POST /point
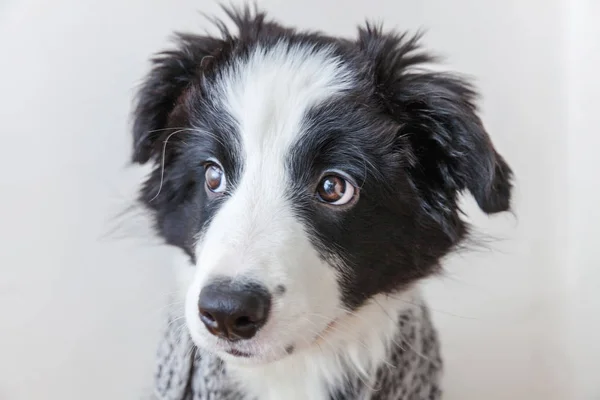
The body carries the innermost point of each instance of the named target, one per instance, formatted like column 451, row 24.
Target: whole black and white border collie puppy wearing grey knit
column 312, row 183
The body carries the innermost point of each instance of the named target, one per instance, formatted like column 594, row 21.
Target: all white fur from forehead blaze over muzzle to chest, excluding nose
column 255, row 235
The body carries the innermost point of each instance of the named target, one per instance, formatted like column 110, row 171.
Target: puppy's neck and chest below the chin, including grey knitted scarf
column 385, row 347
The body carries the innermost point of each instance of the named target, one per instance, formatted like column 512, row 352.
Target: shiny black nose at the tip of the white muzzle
column 232, row 310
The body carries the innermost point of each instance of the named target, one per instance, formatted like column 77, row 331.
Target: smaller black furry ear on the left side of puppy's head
column 171, row 74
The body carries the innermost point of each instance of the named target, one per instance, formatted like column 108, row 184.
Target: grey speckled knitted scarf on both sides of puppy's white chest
column 411, row 372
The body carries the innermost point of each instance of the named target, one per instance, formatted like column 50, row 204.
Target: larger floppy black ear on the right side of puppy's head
column 451, row 150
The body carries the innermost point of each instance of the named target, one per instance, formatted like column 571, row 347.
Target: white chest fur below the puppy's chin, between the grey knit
column 358, row 343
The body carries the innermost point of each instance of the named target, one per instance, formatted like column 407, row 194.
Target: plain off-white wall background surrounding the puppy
column 80, row 309
